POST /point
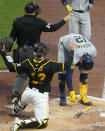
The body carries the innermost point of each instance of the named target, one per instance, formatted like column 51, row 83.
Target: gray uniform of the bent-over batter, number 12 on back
column 82, row 46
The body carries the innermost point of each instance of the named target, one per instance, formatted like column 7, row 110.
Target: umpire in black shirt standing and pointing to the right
column 27, row 30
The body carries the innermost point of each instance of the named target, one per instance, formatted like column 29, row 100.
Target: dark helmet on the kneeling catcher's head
column 40, row 49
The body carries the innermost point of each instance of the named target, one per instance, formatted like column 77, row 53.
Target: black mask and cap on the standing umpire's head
column 31, row 7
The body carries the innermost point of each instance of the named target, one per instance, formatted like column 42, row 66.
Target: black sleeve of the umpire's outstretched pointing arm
column 48, row 27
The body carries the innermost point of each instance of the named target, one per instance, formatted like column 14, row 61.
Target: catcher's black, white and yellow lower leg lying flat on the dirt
column 31, row 123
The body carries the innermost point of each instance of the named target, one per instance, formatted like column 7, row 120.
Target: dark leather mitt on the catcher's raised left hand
column 6, row 42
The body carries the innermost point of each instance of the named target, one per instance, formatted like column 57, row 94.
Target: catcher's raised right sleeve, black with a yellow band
column 57, row 67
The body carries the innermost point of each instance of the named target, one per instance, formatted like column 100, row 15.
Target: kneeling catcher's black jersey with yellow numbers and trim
column 41, row 72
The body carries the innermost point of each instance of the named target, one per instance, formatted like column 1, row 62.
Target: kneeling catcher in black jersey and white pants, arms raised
column 40, row 71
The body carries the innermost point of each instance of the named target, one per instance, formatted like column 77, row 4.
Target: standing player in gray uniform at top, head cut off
column 81, row 17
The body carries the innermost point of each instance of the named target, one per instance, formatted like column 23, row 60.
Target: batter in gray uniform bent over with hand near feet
column 84, row 55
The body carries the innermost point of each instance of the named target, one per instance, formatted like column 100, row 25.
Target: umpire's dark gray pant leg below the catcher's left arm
column 19, row 82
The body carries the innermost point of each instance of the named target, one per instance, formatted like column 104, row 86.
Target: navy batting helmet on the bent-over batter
column 87, row 62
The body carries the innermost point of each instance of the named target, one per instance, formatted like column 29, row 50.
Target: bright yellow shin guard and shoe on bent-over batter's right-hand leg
column 83, row 95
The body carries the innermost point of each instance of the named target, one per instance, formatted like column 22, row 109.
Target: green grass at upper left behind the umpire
column 9, row 11
